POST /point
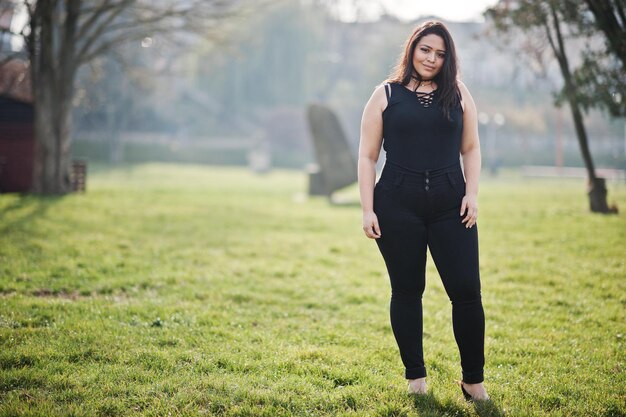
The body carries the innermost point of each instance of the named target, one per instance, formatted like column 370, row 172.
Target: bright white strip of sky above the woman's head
column 453, row 10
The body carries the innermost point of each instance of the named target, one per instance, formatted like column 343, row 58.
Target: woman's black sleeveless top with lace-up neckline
column 417, row 136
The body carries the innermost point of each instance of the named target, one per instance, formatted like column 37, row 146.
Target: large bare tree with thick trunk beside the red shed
column 62, row 35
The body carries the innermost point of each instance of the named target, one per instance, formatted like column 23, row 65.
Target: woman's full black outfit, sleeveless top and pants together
column 417, row 201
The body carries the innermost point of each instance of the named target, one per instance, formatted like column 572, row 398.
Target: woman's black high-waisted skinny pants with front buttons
column 417, row 210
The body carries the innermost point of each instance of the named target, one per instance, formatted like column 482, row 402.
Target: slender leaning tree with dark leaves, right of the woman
column 599, row 79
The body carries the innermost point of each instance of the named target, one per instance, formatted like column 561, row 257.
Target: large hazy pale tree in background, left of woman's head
column 295, row 55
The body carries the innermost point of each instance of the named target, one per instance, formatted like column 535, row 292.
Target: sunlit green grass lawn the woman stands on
column 181, row 290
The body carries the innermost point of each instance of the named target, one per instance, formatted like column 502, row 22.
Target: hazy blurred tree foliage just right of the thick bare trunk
column 117, row 92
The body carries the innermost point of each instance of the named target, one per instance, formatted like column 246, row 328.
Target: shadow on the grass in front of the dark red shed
column 24, row 209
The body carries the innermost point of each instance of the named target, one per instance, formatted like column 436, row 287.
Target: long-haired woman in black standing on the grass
column 423, row 199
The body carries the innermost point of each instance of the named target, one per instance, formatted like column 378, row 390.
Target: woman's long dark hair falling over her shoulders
column 446, row 79
